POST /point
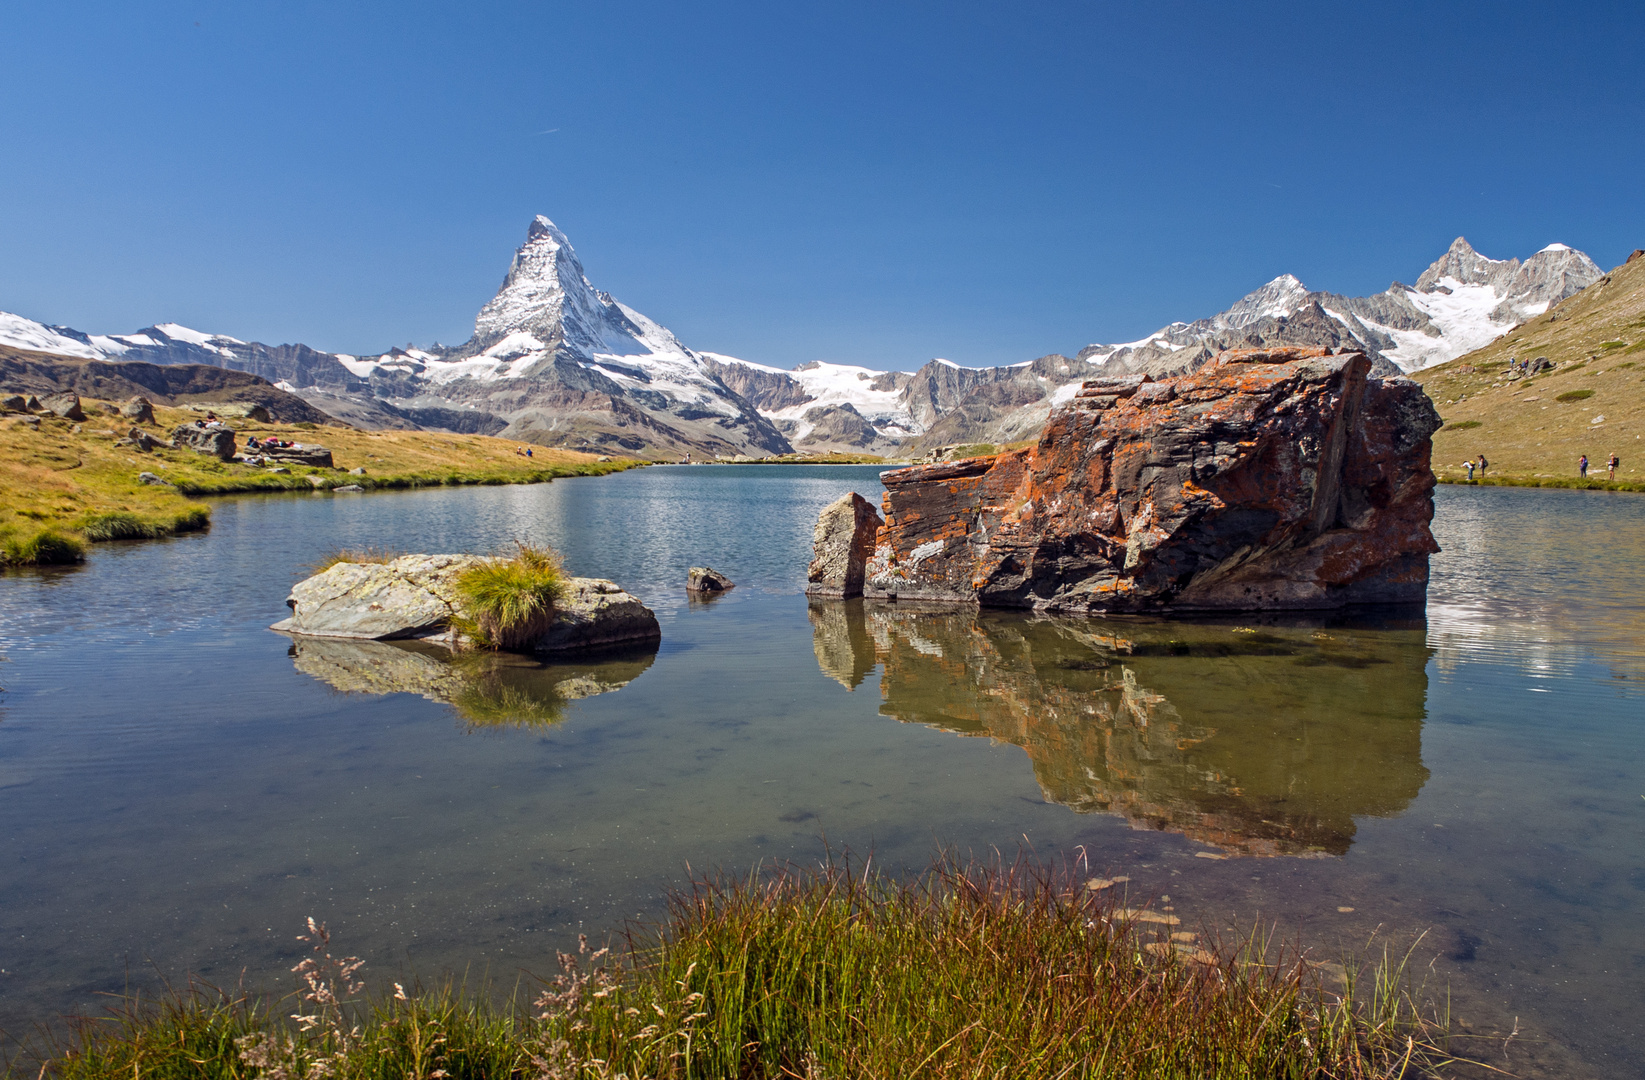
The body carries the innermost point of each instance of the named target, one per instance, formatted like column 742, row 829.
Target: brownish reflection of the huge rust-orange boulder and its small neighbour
column 1259, row 741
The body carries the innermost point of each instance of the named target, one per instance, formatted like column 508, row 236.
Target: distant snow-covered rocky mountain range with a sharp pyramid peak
column 557, row 362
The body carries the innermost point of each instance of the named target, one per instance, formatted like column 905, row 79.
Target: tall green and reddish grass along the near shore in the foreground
column 963, row 972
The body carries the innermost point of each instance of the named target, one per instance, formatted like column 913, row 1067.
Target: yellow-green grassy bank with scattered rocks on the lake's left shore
column 65, row 486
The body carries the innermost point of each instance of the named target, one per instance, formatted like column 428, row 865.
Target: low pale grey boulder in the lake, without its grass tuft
column 417, row 598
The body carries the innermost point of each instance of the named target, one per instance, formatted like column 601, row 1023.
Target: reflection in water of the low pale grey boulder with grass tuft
column 486, row 690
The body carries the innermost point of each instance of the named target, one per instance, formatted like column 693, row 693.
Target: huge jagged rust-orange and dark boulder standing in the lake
column 1267, row 481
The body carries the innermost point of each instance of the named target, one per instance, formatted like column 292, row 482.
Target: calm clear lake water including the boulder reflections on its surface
column 180, row 787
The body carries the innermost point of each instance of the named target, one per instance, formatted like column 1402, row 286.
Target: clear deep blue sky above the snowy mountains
column 864, row 183
